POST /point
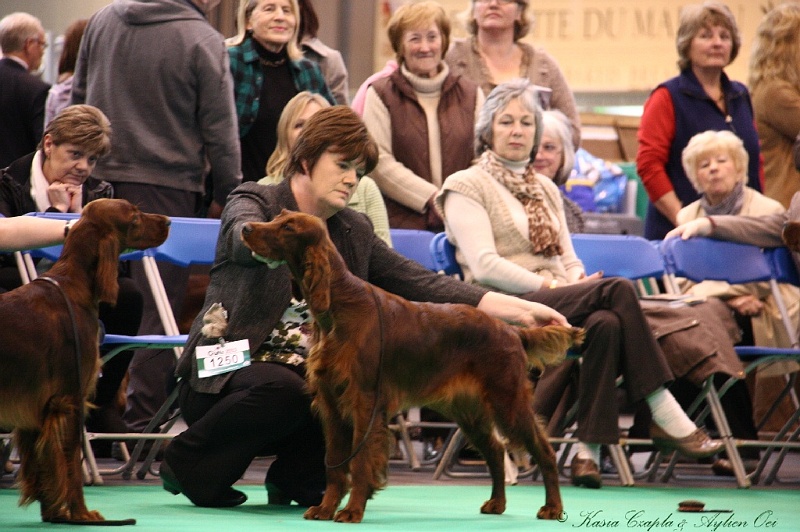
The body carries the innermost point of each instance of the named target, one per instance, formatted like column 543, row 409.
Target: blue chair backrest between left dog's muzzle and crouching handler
column 190, row 241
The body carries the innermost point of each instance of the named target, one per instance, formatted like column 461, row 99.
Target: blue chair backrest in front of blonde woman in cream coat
column 700, row 259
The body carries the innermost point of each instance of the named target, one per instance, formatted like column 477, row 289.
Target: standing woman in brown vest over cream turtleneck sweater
column 422, row 116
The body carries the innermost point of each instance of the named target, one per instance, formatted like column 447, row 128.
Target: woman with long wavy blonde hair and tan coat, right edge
column 775, row 87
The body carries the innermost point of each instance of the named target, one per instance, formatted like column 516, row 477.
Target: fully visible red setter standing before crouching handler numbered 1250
column 377, row 352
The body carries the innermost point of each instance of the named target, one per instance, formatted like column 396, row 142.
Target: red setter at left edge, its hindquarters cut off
column 44, row 386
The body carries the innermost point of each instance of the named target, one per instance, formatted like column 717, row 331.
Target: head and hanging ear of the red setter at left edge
column 114, row 225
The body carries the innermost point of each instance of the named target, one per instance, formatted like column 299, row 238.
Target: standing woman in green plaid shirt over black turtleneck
column 268, row 70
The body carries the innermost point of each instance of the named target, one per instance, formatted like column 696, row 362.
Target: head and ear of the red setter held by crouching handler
column 299, row 240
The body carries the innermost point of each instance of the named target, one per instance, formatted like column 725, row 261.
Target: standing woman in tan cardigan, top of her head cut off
column 495, row 54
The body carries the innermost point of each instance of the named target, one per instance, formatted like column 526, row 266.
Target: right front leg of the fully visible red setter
column 370, row 460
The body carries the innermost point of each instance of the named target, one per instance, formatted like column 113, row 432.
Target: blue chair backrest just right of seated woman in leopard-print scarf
column 629, row 256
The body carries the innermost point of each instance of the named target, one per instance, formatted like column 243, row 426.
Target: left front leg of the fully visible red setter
column 338, row 442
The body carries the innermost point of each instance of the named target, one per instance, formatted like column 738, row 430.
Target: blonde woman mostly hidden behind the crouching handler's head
column 366, row 198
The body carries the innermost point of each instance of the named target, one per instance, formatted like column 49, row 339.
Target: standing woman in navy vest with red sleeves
column 701, row 97
